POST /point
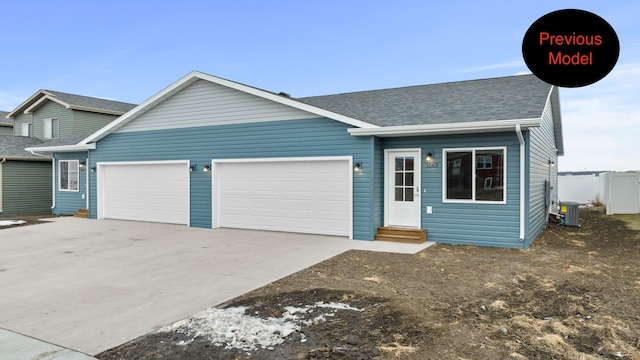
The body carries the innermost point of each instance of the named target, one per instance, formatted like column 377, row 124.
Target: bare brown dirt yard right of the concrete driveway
column 574, row 295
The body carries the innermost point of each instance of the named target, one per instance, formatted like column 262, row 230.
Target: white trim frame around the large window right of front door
column 473, row 187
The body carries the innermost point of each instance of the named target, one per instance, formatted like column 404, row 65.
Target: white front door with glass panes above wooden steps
column 402, row 182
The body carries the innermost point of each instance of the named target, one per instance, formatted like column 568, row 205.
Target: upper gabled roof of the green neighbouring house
column 71, row 101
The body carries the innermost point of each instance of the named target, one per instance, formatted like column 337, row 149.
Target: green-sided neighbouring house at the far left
column 47, row 117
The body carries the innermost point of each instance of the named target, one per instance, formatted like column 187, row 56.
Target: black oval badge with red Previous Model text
column 570, row 48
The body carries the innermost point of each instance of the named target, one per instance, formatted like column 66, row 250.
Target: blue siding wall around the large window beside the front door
column 468, row 223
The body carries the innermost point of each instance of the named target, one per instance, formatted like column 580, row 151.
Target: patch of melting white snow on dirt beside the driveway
column 232, row 328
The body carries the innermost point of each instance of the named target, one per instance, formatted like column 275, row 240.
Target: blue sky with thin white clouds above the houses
column 130, row 50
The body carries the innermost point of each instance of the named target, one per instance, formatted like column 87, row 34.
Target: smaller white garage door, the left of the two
column 156, row 192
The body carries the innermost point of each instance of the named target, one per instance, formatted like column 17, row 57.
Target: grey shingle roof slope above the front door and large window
column 505, row 98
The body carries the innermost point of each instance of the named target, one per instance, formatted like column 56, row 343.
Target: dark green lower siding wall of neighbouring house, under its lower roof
column 26, row 187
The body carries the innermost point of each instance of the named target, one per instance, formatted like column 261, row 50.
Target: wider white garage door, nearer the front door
column 311, row 196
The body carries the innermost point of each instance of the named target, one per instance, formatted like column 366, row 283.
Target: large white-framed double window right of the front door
column 474, row 175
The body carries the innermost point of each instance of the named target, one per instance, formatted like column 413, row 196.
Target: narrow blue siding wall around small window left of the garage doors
column 68, row 202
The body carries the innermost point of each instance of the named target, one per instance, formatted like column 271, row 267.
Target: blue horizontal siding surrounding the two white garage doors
column 291, row 138
